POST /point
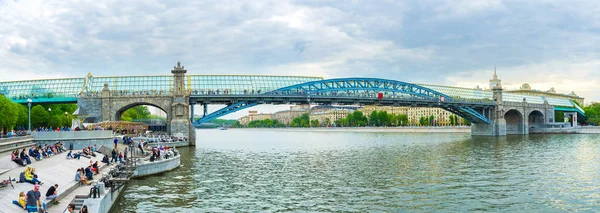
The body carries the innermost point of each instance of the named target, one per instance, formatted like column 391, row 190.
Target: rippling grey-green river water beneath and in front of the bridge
column 265, row 170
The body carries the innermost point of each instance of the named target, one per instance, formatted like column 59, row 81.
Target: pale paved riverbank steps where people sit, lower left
column 54, row 170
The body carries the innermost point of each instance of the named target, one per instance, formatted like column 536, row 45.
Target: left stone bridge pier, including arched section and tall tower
column 110, row 105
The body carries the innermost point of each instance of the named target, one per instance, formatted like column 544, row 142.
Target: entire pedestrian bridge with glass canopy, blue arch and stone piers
column 104, row 98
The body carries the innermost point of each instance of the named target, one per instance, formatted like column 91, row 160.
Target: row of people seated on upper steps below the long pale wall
column 23, row 157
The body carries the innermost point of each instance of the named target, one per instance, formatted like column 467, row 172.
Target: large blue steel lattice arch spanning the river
column 358, row 91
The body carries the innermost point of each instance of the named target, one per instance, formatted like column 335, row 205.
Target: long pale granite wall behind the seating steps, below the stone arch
column 78, row 139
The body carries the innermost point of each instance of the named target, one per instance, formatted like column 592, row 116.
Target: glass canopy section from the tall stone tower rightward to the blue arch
column 241, row 84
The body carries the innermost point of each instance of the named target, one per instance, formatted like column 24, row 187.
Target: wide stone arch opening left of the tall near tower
column 153, row 122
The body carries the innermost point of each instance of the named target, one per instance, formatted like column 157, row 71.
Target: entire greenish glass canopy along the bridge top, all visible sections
column 68, row 89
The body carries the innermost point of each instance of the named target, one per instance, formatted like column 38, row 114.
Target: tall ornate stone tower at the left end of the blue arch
column 180, row 123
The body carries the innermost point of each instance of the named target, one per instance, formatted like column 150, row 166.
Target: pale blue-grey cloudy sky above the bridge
column 450, row 42
